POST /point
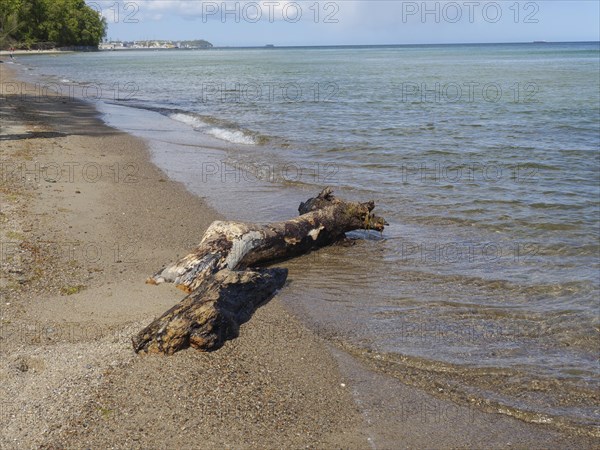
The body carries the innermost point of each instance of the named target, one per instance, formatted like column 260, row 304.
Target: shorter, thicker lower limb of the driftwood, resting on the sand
column 213, row 313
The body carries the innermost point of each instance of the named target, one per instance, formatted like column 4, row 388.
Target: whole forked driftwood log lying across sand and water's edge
column 221, row 278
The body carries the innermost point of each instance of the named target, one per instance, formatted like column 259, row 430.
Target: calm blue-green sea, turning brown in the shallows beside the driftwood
column 483, row 158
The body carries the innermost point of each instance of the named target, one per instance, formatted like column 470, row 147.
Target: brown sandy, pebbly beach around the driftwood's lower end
column 85, row 218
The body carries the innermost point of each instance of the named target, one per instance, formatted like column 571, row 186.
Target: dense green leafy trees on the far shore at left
column 49, row 23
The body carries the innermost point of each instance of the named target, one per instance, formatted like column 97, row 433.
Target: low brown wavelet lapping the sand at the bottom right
column 491, row 389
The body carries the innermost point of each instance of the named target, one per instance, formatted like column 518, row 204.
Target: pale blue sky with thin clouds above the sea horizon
column 350, row 22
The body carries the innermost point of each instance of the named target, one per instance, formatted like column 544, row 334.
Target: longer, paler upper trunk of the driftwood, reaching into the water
column 237, row 245
